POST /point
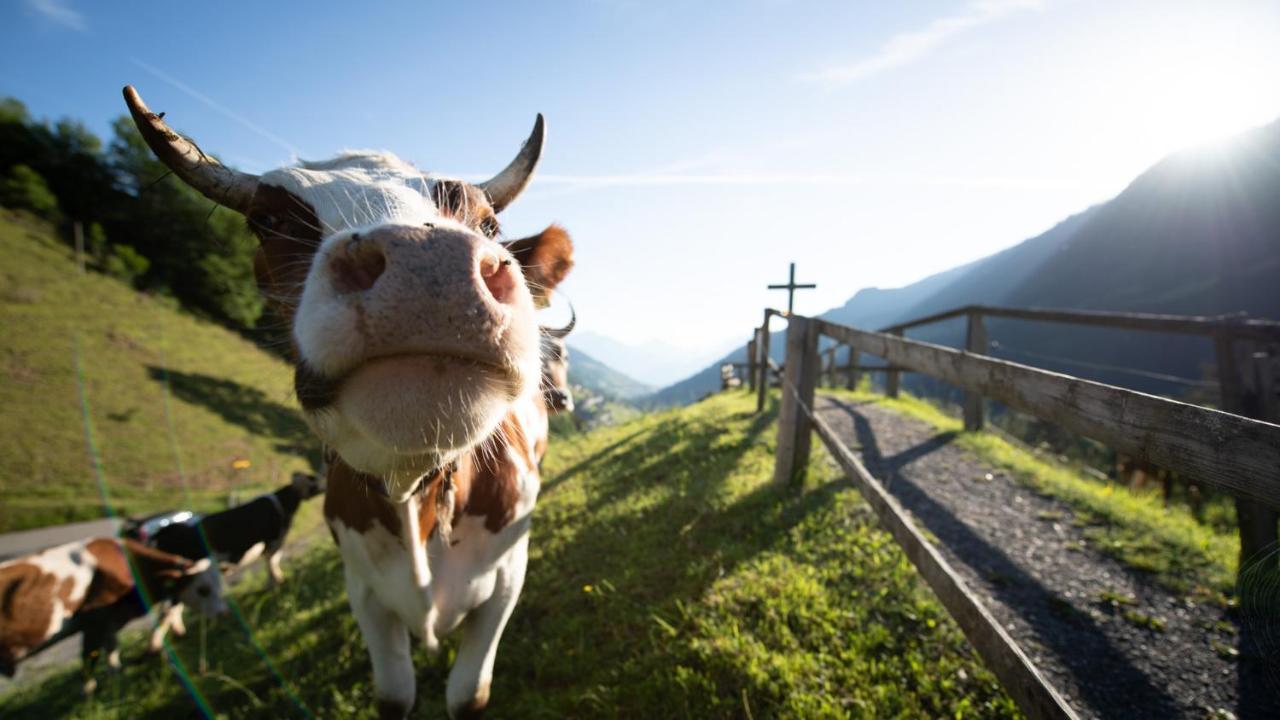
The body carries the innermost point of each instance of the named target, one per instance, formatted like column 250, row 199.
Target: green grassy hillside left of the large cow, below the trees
column 230, row 400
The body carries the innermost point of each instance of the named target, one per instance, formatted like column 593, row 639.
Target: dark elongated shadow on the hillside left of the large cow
column 246, row 407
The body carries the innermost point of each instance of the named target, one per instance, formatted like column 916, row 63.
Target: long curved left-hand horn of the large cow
column 228, row 188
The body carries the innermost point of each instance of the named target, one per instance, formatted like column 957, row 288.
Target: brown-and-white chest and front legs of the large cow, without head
column 408, row 577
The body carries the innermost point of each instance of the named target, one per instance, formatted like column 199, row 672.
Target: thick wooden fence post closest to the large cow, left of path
column 794, row 425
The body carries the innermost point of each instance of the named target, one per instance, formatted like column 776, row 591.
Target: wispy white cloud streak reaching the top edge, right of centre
column 908, row 48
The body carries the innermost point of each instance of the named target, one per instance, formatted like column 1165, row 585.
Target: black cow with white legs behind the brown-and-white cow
column 235, row 539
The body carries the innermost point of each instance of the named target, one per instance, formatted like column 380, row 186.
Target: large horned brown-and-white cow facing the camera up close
column 417, row 357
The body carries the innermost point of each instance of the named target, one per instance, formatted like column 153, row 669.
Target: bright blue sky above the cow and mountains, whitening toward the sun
column 694, row 148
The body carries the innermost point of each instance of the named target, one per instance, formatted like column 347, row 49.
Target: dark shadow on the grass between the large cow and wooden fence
column 609, row 580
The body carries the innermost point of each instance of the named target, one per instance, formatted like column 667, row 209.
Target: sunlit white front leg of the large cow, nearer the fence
column 468, row 692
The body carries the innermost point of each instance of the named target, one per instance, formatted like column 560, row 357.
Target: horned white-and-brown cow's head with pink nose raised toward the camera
column 413, row 325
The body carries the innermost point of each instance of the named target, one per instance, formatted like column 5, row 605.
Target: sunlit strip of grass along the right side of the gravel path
column 1135, row 528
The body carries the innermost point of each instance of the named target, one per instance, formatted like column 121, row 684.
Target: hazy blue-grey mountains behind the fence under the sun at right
column 1197, row 234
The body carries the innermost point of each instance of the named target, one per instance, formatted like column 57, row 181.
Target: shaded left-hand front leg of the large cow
column 387, row 640
